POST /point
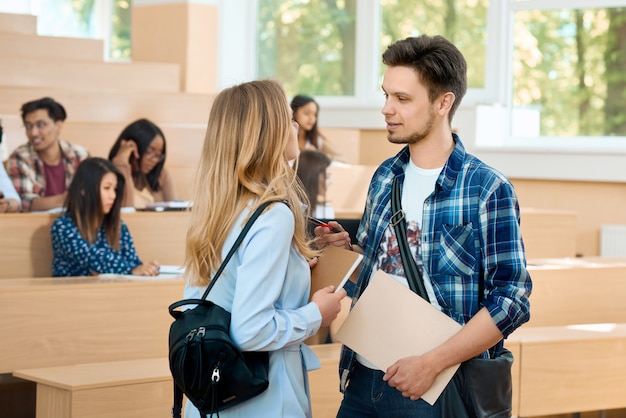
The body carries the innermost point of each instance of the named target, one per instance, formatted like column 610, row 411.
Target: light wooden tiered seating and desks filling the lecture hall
column 74, row 344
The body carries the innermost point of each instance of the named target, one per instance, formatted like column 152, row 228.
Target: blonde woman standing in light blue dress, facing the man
column 249, row 142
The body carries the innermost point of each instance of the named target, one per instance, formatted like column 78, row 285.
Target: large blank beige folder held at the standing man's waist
column 390, row 322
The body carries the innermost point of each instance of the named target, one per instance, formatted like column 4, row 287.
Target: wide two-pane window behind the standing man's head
column 313, row 47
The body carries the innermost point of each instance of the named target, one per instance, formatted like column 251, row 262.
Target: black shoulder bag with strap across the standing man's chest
column 481, row 388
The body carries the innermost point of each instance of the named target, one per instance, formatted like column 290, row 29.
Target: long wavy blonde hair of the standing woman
column 242, row 161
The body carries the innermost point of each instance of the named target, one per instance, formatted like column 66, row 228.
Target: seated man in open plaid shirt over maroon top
column 42, row 169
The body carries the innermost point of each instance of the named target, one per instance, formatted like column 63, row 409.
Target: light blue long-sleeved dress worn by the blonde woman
column 266, row 288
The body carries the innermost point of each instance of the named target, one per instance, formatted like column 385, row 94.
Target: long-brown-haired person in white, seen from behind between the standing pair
column 312, row 170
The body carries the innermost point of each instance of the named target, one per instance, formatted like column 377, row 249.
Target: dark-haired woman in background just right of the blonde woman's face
column 305, row 112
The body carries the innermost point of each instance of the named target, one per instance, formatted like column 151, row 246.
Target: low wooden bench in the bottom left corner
column 130, row 389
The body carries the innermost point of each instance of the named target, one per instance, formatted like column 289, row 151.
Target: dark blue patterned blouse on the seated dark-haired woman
column 73, row 256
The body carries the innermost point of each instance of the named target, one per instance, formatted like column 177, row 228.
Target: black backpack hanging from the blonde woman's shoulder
column 207, row 366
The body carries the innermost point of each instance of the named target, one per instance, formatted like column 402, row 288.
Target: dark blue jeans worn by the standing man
column 368, row 395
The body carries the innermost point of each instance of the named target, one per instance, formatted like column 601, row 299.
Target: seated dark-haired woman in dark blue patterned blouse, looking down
column 91, row 238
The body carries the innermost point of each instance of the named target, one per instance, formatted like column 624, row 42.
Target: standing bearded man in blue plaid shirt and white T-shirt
column 463, row 230
